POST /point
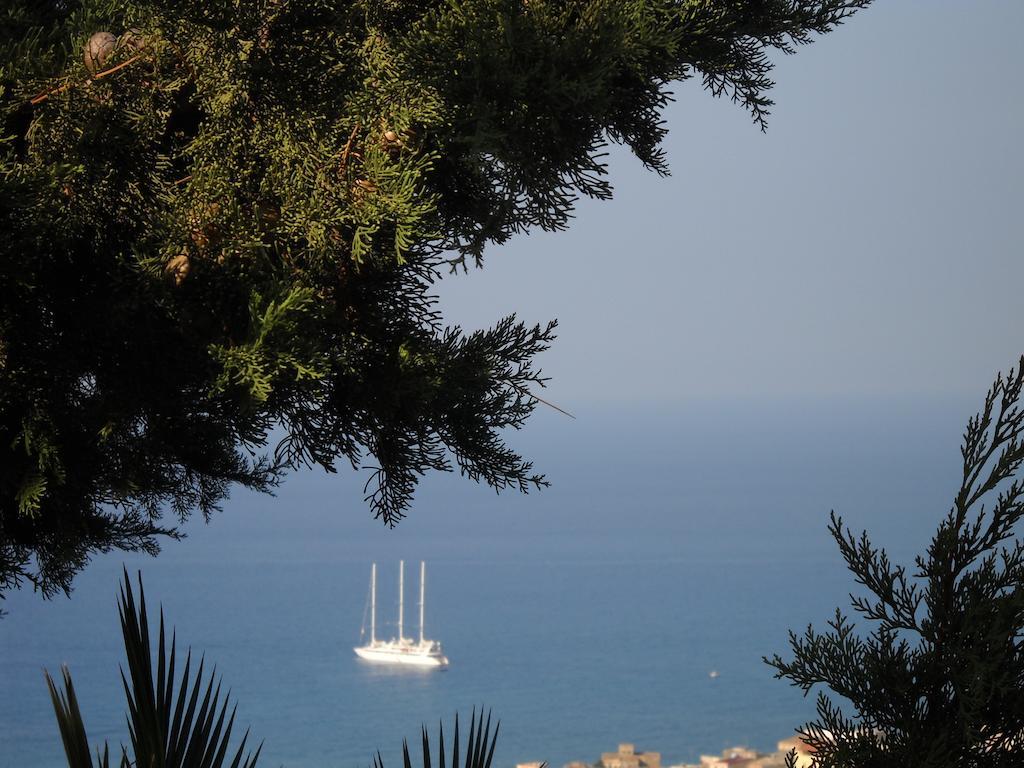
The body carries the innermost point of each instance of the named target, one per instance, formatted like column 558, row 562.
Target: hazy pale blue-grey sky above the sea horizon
column 869, row 244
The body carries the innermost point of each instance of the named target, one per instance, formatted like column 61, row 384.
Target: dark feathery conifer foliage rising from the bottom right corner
column 940, row 679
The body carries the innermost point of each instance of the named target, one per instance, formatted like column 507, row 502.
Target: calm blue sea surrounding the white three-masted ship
column 674, row 542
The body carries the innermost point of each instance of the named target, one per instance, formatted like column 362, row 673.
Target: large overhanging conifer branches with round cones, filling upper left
column 225, row 218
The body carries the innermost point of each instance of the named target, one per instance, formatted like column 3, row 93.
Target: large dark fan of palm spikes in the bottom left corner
column 168, row 728
